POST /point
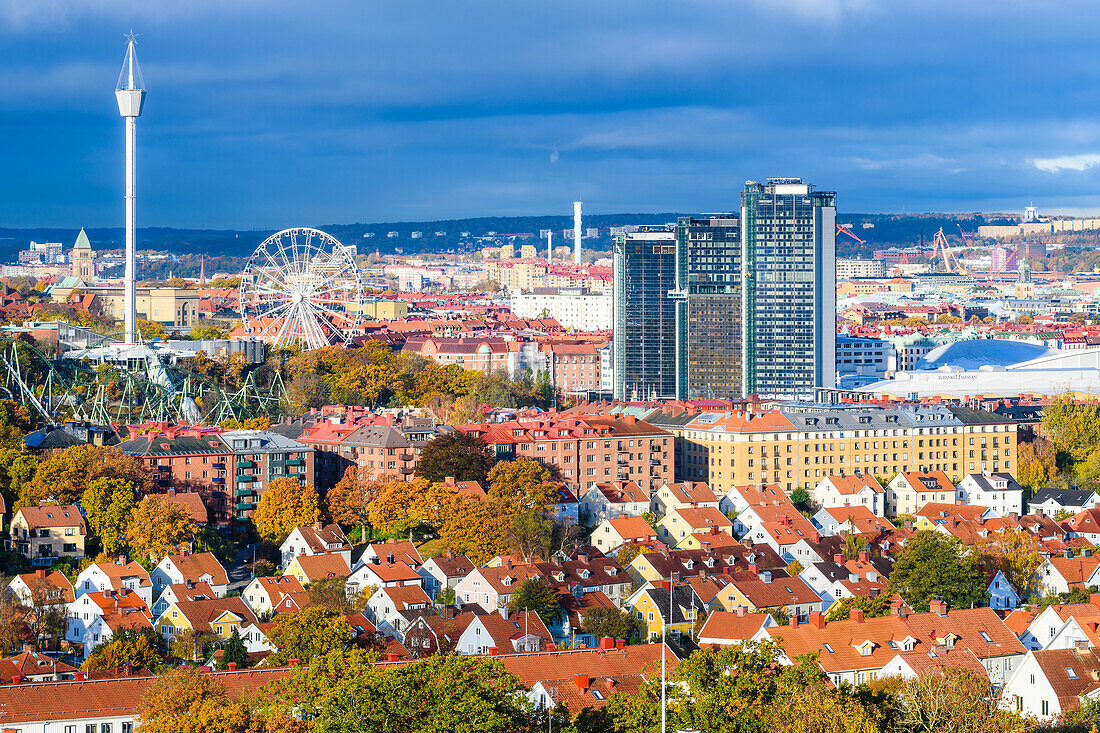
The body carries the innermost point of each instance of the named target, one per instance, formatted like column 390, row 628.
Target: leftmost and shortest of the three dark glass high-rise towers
column 645, row 346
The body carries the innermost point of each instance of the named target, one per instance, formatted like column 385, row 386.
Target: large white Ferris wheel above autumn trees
column 302, row 288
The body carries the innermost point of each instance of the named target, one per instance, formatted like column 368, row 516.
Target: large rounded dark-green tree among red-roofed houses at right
column 931, row 566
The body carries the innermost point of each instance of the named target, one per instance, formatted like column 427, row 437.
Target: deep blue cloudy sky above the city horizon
column 271, row 114
